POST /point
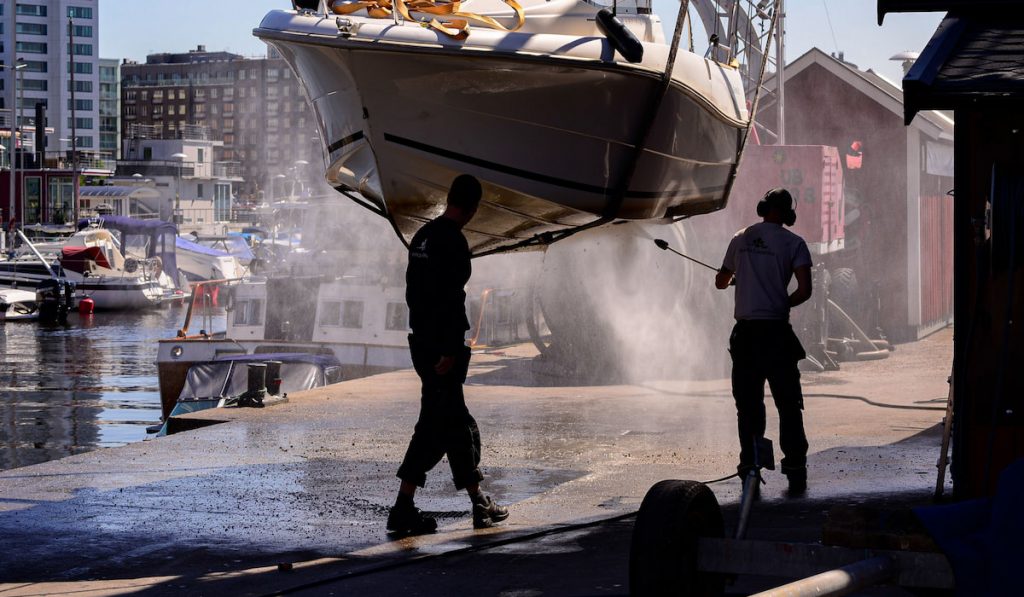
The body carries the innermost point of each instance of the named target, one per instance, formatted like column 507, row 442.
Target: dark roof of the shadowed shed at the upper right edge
column 972, row 57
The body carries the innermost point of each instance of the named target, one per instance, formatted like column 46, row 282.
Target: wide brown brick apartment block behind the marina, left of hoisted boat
column 254, row 106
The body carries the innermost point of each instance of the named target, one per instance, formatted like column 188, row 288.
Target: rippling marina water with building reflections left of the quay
column 91, row 385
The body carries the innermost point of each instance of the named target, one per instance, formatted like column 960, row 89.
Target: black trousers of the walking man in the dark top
column 445, row 428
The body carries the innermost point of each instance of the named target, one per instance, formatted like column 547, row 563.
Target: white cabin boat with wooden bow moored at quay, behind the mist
column 332, row 296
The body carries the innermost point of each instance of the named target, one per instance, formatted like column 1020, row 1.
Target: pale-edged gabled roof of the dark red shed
column 878, row 88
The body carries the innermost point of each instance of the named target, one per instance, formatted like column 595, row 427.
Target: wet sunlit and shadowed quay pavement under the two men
column 308, row 484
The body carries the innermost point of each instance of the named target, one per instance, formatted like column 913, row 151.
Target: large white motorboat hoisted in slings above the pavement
column 564, row 132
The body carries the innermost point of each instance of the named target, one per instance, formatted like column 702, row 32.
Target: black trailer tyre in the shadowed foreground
column 673, row 518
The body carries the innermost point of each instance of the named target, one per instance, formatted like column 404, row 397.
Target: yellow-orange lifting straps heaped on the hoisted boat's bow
column 455, row 25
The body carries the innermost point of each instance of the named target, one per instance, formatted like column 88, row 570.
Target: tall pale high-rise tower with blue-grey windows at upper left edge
column 59, row 42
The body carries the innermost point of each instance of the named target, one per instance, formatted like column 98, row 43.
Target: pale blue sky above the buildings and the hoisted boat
column 131, row 29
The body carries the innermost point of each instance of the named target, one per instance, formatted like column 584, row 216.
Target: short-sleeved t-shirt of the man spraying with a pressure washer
column 763, row 258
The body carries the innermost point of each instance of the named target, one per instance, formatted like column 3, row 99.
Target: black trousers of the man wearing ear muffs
column 769, row 351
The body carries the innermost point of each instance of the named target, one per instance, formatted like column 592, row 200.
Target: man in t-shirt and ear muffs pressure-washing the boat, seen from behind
column 761, row 262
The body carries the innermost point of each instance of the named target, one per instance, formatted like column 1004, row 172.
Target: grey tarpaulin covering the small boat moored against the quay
column 230, row 377
